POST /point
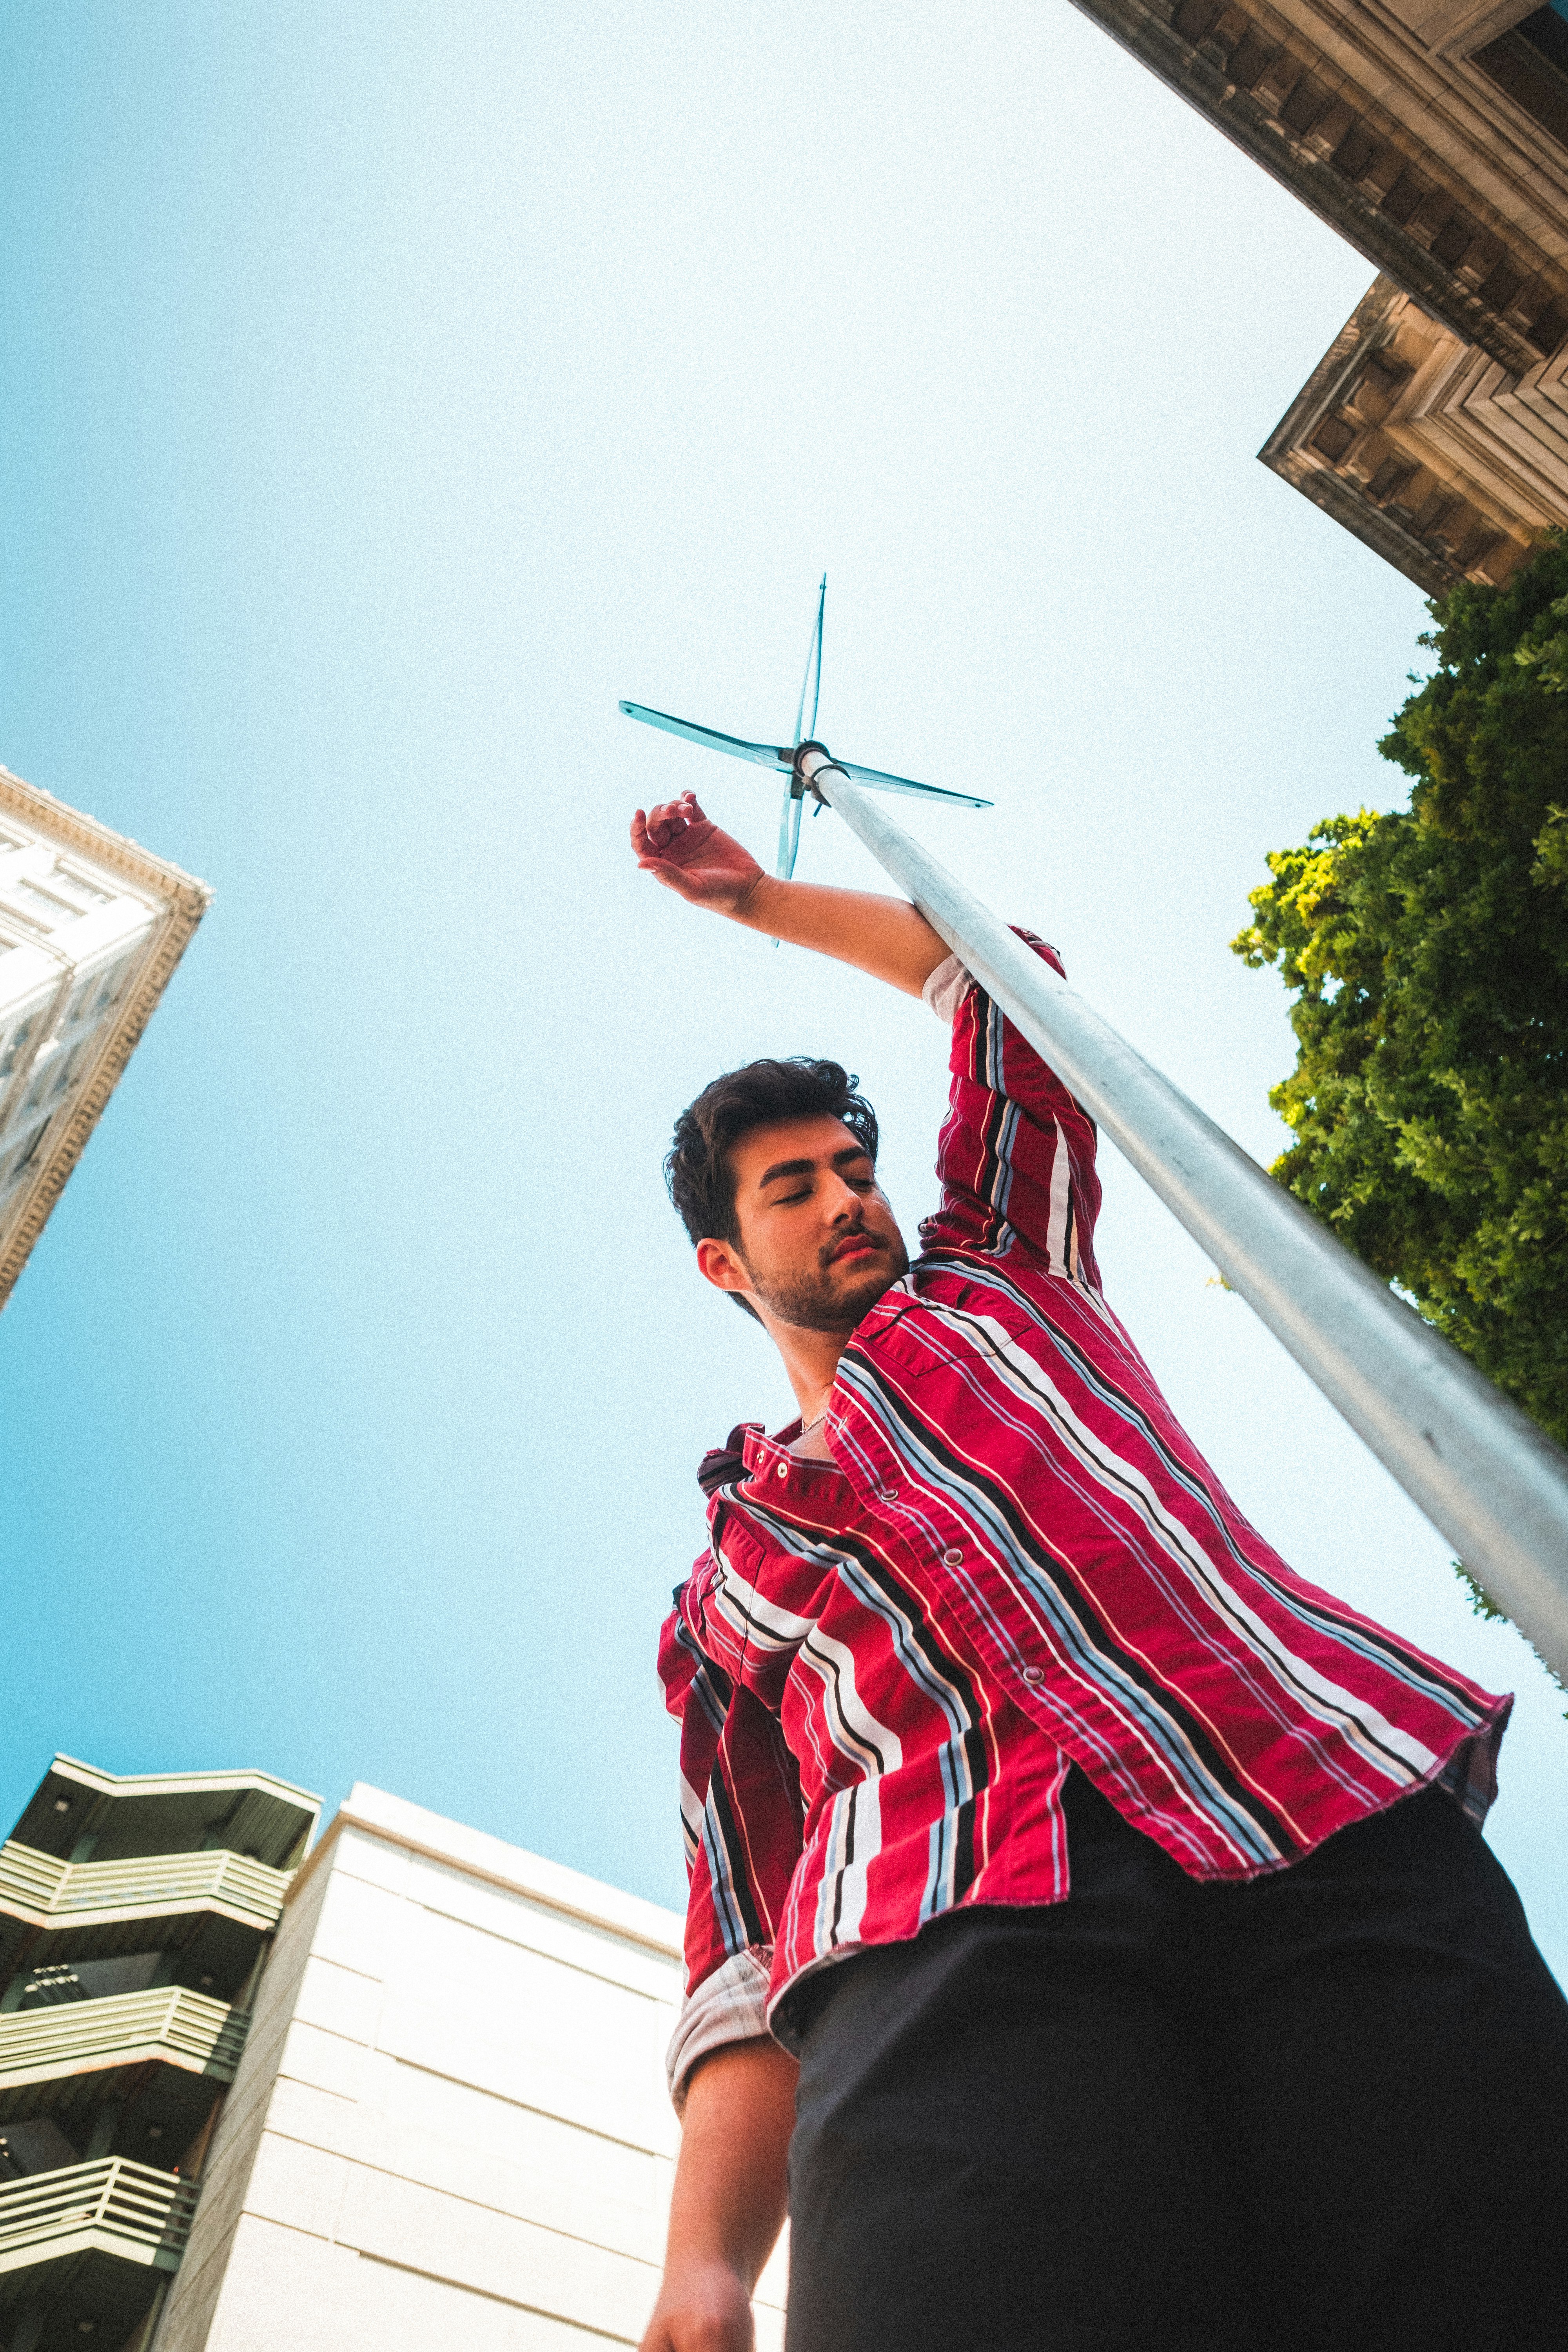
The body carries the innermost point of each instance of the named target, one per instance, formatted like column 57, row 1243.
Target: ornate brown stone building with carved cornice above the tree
column 1435, row 138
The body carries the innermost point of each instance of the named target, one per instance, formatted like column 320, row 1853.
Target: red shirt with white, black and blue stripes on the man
column 1017, row 1561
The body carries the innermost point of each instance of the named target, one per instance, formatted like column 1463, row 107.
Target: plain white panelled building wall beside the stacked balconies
column 450, row 2127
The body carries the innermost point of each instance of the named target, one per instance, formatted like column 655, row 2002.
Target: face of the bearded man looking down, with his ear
column 819, row 1243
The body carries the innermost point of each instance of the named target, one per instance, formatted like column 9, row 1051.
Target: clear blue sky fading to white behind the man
column 389, row 392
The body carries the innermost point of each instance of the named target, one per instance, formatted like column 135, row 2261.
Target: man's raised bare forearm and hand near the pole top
column 688, row 853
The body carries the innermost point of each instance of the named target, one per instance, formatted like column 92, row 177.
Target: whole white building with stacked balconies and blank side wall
column 403, row 2090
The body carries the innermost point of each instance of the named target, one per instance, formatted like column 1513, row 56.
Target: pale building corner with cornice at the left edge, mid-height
column 91, row 930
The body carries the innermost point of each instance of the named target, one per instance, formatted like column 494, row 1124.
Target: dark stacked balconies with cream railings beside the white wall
column 135, row 1920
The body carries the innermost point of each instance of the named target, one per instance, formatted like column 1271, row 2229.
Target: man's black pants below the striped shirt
column 1318, row 2113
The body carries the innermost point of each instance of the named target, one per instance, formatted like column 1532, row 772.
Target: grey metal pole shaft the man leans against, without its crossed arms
column 1473, row 1462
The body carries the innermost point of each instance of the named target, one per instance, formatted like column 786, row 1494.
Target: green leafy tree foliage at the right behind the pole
column 1428, row 951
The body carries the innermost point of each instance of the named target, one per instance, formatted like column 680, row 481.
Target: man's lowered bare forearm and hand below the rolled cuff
column 730, row 2198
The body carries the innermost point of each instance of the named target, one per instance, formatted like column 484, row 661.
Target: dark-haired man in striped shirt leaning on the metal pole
column 1092, row 1939
